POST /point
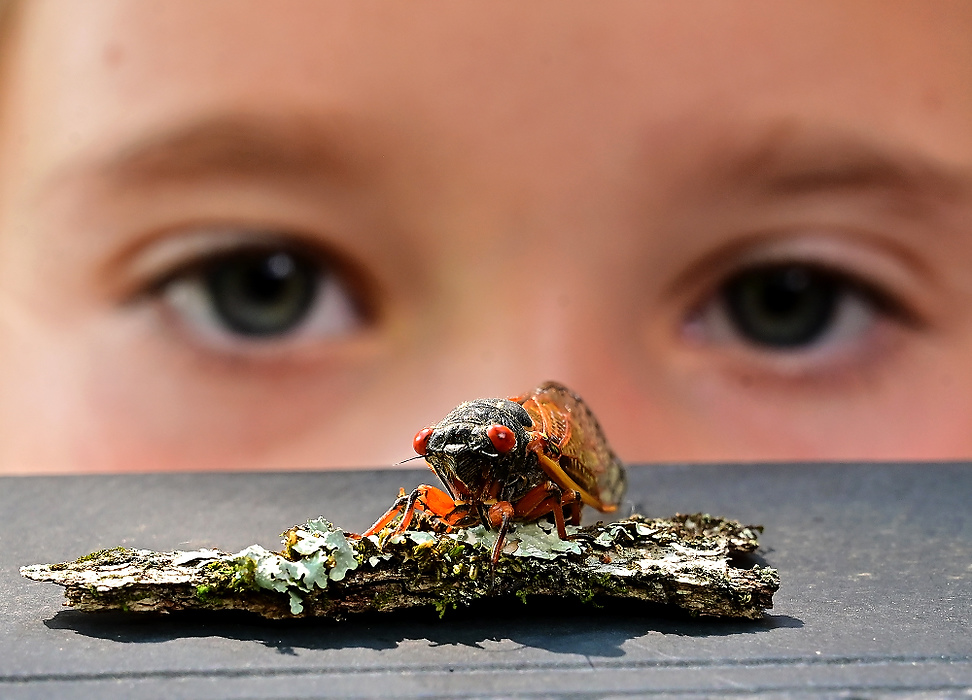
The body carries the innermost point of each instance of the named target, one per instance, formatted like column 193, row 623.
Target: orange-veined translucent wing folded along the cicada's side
column 584, row 453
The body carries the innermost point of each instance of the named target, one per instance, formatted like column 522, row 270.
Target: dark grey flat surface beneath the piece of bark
column 876, row 564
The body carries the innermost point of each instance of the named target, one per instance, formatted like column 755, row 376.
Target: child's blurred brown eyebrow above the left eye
column 238, row 146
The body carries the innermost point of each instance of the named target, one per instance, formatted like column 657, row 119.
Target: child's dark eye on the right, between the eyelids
column 791, row 307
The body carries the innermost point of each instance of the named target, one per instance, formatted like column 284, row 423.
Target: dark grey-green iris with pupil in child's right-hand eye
column 784, row 306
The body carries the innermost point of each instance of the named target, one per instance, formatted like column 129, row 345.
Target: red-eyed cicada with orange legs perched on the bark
column 511, row 460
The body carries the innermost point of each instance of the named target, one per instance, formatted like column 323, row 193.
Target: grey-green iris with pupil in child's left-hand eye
column 262, row 293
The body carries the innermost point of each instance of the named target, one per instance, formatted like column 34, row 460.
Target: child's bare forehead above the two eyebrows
column 529, row 76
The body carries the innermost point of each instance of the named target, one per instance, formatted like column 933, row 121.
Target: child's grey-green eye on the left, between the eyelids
column 263, row 294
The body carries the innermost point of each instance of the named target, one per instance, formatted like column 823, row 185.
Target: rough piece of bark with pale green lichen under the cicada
column 686, row 562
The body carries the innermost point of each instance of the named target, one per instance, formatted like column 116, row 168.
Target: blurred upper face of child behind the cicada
column 240, row 234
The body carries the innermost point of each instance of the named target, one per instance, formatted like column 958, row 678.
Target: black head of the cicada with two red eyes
column 476, row 448
